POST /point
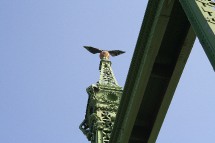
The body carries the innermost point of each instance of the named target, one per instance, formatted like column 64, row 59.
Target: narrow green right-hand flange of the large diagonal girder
column 178, row 69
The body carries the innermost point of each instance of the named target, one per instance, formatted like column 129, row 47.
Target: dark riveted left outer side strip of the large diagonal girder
column 146, row 27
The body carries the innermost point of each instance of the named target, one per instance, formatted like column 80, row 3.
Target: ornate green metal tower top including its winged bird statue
column 103, row 101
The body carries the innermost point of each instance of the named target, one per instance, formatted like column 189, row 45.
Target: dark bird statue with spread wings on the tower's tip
column 104, row 53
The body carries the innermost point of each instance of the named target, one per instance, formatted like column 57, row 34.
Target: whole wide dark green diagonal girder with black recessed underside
column 163, row 46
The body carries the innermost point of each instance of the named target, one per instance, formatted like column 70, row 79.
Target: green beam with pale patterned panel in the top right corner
column 201, row 14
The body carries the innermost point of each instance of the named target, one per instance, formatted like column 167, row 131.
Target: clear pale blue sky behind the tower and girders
column 45, row 70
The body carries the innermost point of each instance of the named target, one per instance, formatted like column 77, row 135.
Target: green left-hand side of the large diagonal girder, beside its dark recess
column 136, row 82
